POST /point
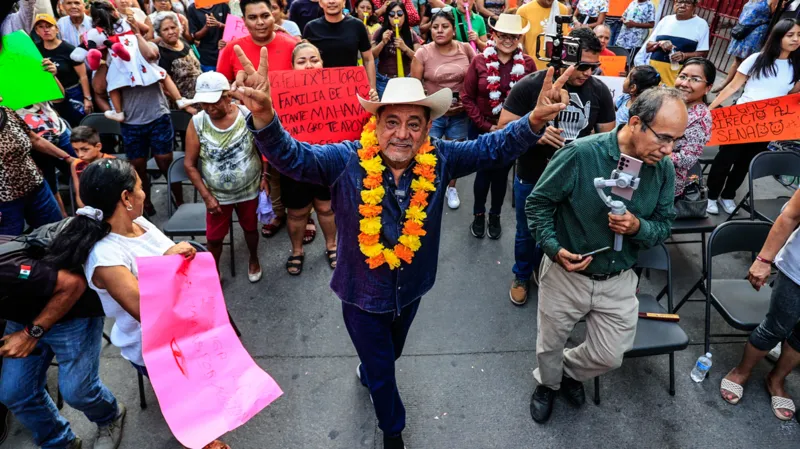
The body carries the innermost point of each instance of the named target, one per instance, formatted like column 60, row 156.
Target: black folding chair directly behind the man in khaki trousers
column 655, row 337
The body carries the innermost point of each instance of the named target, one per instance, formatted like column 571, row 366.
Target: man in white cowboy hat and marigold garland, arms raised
column 387, row 217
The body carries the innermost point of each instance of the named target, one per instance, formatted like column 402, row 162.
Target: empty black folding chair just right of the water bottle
column 740, row 305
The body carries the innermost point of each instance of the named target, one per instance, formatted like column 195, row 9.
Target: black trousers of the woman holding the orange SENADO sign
column 730, row 167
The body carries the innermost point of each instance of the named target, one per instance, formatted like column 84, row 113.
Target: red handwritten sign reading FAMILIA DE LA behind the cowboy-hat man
column 320, row 106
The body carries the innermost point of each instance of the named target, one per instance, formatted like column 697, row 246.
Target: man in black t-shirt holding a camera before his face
column 591, row 109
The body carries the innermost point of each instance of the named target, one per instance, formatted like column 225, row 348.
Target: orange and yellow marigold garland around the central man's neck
column 372, row 196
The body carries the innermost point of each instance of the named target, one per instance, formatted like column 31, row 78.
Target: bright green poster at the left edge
column 20, row 69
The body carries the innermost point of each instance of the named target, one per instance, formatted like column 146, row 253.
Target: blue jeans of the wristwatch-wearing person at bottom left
column 76, row 345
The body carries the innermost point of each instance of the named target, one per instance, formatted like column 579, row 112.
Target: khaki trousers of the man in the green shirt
column 611, row 311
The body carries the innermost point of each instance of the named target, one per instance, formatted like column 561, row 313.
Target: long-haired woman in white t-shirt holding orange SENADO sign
column 774, row 72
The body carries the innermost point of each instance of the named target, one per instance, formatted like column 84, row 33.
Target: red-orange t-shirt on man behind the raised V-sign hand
column 280, row 54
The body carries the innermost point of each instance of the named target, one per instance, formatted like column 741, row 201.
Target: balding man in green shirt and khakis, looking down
column 569, row 219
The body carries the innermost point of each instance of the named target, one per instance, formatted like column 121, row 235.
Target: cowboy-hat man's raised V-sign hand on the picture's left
column 252, row 87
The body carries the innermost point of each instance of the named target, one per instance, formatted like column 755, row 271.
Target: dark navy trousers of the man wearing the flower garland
column 379, row 339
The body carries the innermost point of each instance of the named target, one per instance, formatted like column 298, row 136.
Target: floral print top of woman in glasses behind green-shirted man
column 689, row 148
